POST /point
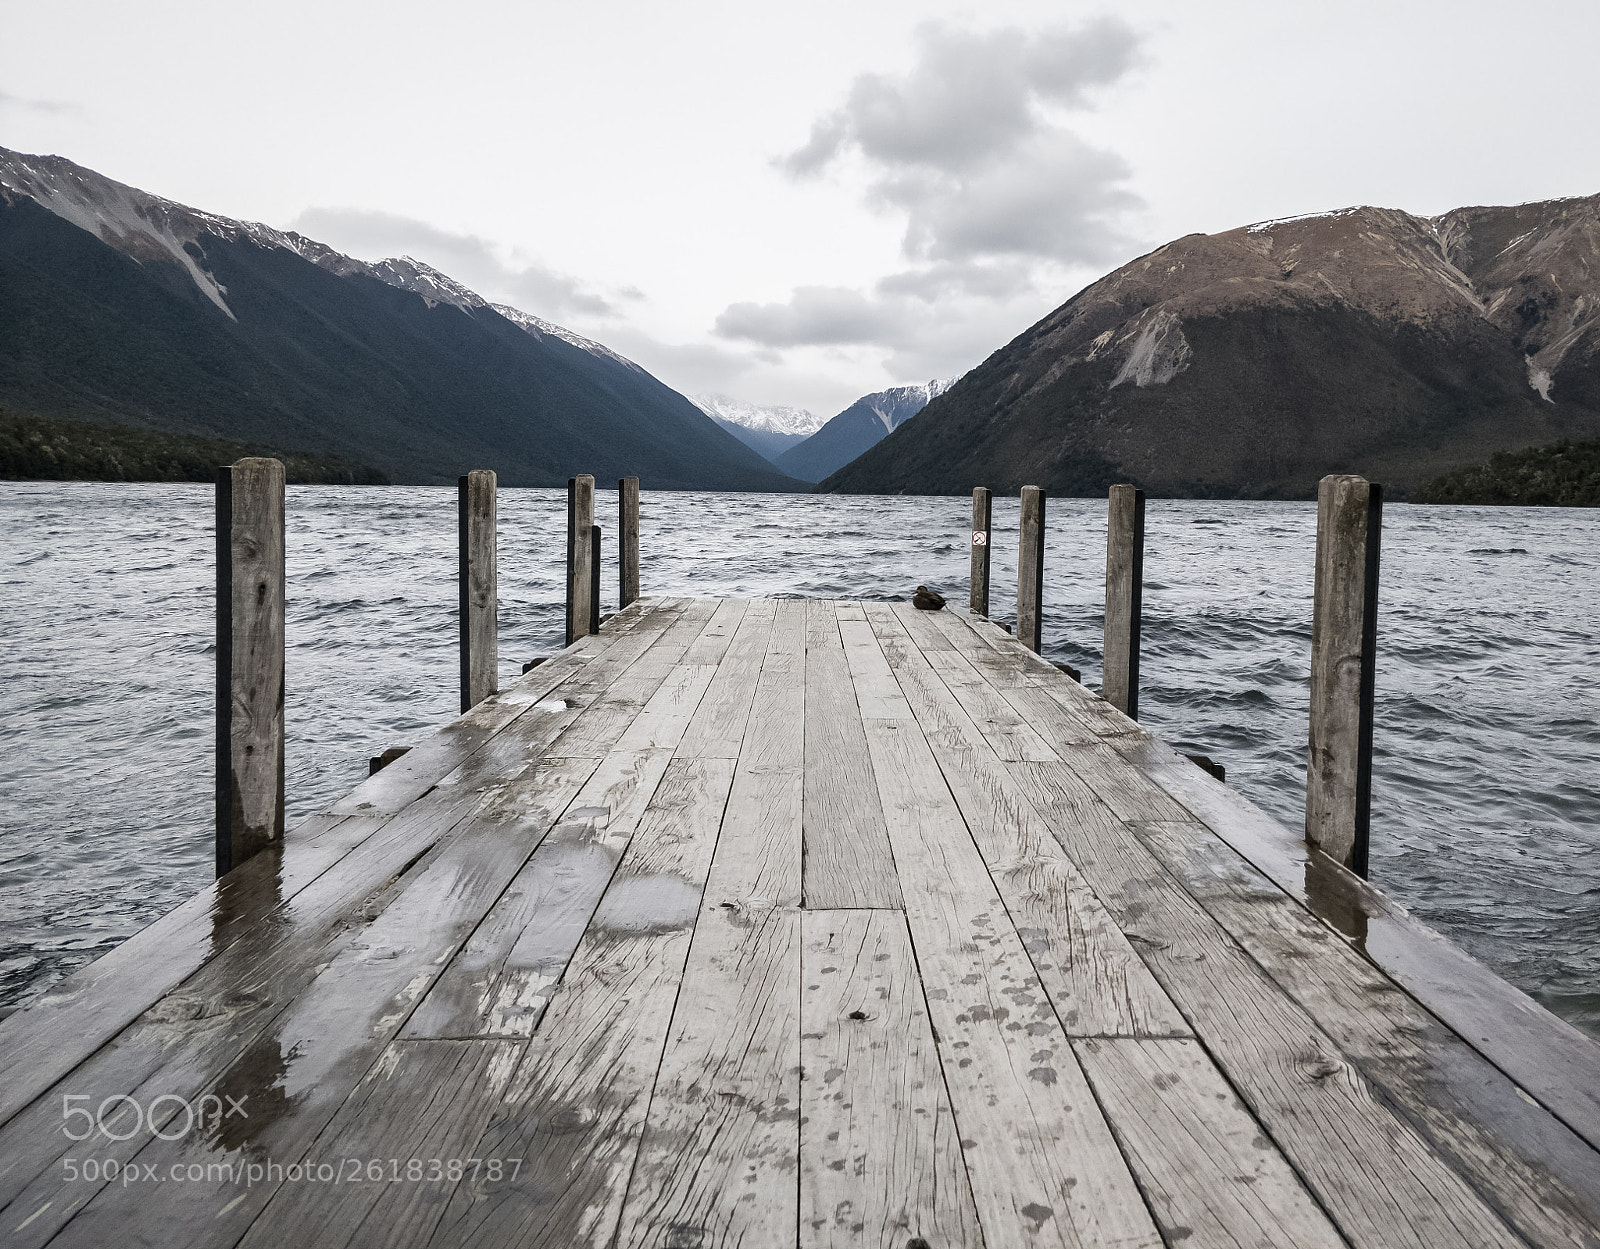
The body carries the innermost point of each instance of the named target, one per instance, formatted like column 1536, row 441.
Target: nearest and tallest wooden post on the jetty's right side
column 1343, row 660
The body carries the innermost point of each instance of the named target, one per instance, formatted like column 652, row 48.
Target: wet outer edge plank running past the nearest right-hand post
column 1546, row 1056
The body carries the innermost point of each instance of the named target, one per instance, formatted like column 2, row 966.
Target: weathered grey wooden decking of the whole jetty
column 796, row 924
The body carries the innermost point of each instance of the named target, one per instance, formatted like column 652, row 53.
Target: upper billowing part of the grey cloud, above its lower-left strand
column 967, row 145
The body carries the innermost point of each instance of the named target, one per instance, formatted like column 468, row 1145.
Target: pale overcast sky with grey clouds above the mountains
column 802, row 204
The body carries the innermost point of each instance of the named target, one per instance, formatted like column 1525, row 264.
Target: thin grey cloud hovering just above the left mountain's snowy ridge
column 468, row 258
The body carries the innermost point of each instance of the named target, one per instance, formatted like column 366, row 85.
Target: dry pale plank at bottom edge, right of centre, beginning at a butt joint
column 1210, row 1175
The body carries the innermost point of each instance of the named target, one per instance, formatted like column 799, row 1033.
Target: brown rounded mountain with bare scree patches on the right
column 1254, row 362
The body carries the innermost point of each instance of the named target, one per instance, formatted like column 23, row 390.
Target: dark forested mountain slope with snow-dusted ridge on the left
column 122, row 308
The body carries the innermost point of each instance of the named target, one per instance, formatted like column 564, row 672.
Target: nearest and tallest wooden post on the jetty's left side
column 249, row 660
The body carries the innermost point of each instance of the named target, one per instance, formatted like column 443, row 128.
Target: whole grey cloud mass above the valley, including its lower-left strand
column 999, row 196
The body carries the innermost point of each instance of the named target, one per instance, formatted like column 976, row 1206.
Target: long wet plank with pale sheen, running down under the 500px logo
column 300, row 1071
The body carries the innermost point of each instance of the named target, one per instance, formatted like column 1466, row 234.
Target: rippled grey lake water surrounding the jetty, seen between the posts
column 1487, row 789
